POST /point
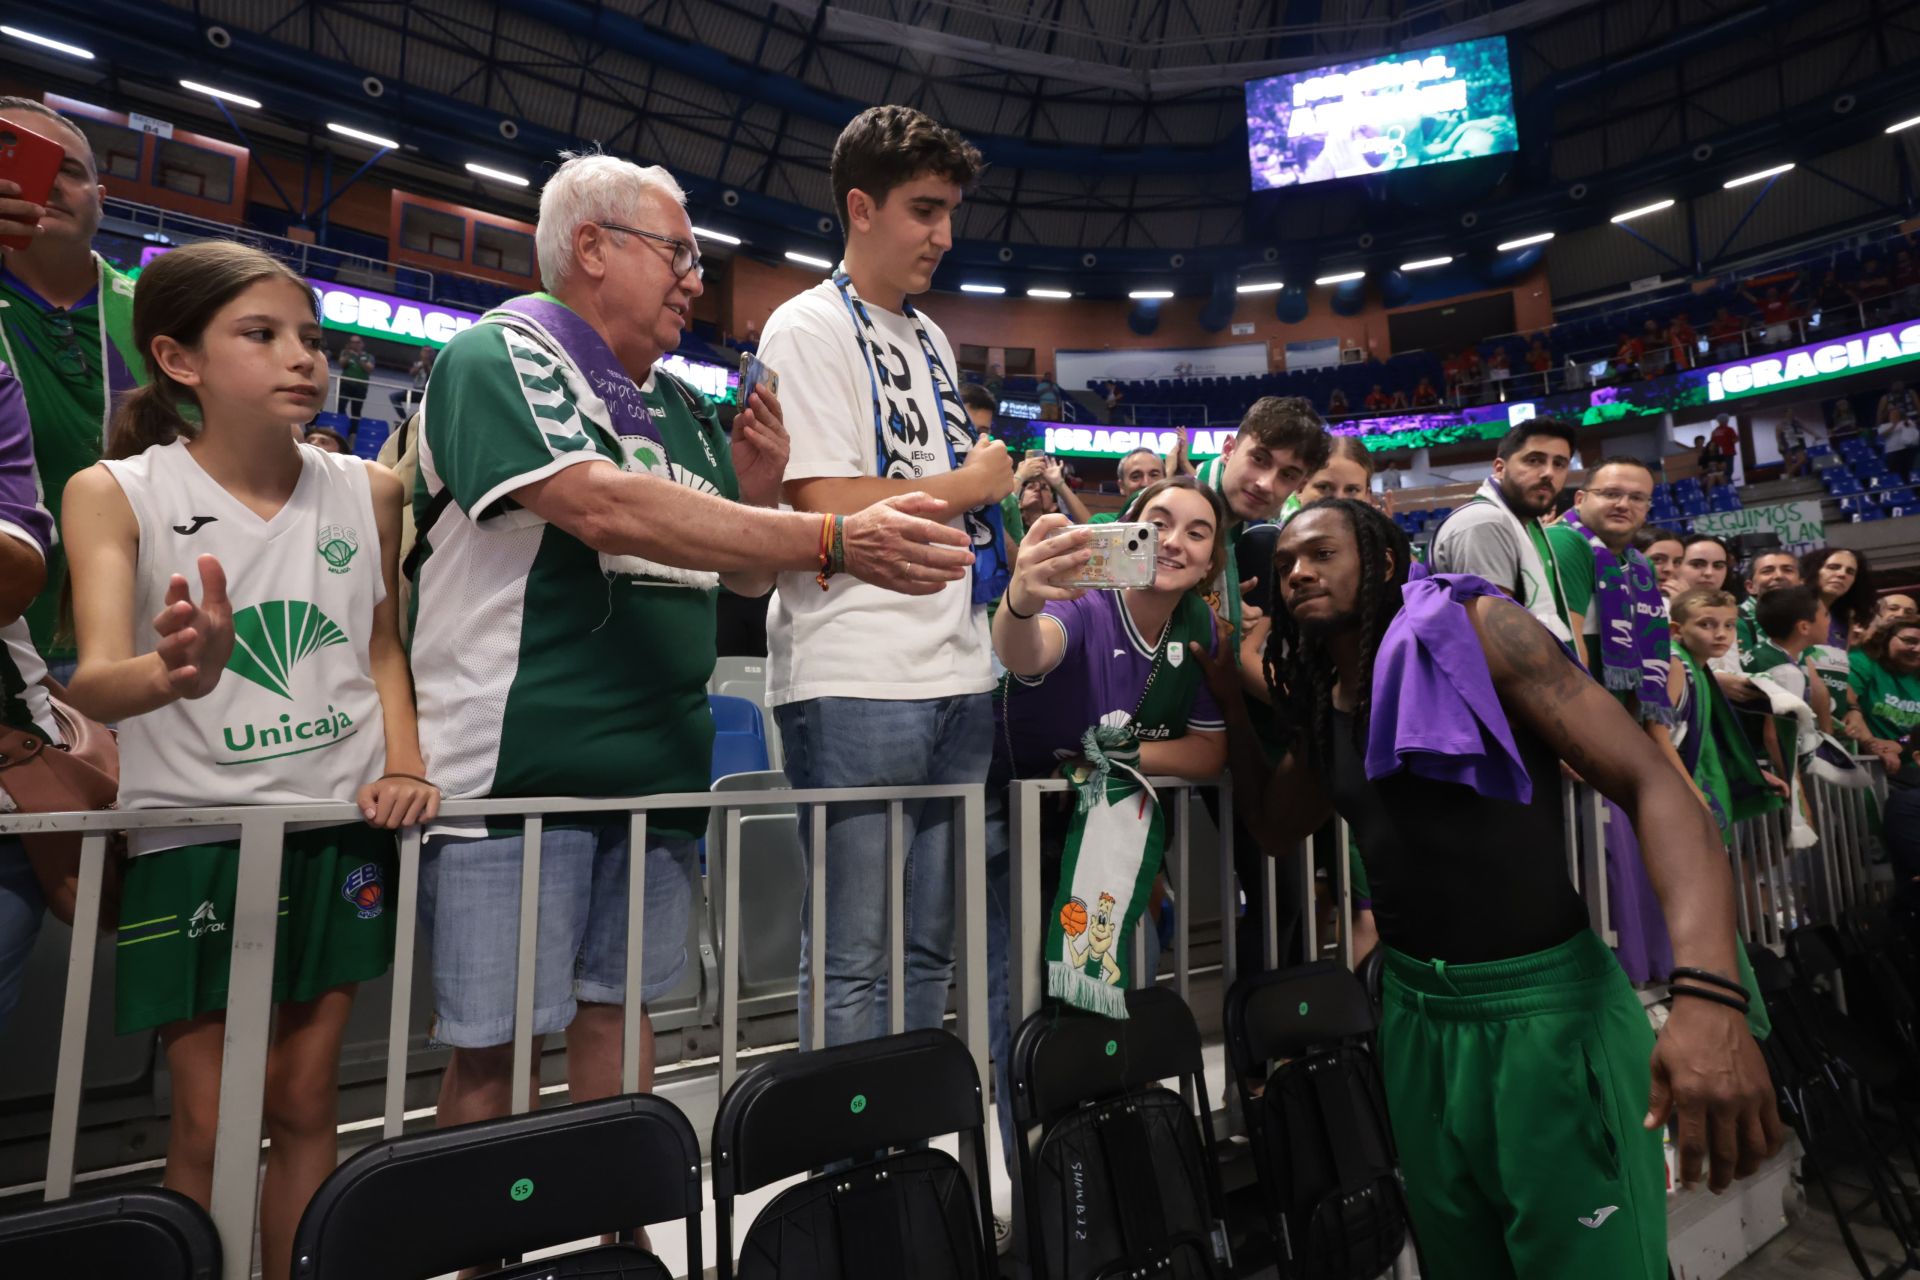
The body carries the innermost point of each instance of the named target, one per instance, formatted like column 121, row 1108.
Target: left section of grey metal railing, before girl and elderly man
column 254, row 932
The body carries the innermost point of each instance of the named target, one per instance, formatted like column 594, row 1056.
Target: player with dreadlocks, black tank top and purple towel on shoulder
column 1524, row 1081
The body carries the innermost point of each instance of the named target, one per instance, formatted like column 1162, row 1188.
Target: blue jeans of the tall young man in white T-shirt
column 875, row 744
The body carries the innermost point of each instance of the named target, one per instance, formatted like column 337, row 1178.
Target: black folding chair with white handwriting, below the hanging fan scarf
column 1122, row 1179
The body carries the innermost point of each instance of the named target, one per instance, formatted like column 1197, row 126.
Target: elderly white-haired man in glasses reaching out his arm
column 577, row 511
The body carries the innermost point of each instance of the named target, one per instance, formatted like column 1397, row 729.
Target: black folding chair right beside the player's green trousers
column 1322, row 1145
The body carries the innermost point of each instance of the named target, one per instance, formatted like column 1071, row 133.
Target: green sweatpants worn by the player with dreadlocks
column 1518, row 1093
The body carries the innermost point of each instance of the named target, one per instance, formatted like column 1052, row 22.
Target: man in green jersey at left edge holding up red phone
column 66, row 329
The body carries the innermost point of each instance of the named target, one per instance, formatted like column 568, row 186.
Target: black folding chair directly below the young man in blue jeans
column 903, row 1210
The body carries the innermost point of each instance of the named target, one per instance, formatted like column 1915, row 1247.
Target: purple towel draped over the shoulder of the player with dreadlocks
column 1435, row 711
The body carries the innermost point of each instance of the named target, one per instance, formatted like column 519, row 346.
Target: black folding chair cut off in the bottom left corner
column 145, row 1235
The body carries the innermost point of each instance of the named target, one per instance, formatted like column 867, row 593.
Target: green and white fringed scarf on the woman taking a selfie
column 1118, row 836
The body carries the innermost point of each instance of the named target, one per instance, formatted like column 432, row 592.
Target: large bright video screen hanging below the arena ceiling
column 1383, row 114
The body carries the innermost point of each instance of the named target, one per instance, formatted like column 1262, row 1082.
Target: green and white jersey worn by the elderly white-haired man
column 546, row 669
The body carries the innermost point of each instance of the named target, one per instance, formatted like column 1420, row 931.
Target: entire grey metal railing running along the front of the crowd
column 1777, row 889
